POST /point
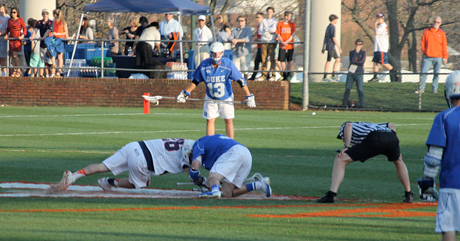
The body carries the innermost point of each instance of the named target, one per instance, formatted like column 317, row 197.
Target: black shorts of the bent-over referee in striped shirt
column 376, row 143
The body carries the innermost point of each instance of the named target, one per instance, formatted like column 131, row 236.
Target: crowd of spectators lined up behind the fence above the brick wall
column 43, row 41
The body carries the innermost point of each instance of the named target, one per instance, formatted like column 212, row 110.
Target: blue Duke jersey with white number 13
column 218, row 80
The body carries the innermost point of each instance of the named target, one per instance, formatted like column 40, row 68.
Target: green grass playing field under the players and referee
column 295, row 149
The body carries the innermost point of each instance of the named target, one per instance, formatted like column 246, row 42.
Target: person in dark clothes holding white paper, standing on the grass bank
column 355, row 71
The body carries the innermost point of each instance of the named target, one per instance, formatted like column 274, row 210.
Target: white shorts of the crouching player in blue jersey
column 234, row 165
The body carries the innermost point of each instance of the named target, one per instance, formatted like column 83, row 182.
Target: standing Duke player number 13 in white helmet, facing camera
column 217, row 73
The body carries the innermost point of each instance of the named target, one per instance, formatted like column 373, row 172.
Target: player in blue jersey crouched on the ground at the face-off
column 227, row 161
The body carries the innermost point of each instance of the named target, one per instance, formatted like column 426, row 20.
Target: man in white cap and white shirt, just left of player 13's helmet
column 204, row 36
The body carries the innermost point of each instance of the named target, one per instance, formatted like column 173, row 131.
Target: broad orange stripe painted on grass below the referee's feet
column 386, row 210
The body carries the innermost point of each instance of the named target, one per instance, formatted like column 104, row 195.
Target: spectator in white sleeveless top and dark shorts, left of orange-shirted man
column 381, row 45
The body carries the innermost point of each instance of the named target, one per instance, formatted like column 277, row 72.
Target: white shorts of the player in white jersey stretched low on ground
column 130, row 158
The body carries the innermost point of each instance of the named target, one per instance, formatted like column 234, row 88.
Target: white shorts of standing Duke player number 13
column 212, row 110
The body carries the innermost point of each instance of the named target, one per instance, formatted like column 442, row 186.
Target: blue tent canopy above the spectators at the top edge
column 148, row 6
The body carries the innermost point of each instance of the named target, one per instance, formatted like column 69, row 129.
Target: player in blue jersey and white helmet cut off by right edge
column 444, row 151
